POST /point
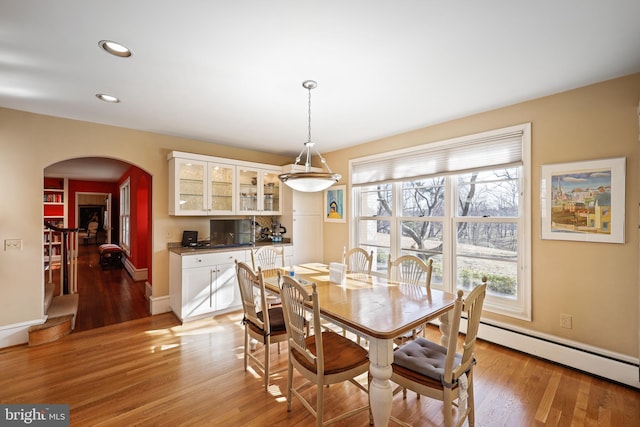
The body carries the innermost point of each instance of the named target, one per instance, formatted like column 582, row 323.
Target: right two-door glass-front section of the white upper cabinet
column 258, row 191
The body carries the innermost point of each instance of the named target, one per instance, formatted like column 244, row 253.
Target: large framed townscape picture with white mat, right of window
column 584, row 201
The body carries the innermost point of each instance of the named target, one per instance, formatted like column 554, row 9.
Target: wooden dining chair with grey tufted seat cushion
column 440, row 372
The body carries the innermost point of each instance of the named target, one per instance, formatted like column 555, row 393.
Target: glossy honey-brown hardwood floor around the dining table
column 155, row 371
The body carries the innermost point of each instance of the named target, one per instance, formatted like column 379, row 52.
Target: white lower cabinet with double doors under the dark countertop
column 204, row 284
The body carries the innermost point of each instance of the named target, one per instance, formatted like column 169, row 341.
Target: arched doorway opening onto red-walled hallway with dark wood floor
column 93, row 184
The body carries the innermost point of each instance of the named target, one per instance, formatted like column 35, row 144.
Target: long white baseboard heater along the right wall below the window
column 613, row 366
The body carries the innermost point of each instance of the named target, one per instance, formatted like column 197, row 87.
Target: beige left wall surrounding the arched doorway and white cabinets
column 31, row 142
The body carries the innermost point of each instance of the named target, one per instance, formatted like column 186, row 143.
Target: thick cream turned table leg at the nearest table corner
column 380, row 391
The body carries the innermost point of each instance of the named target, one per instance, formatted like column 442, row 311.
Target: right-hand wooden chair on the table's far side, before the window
column 413, row 270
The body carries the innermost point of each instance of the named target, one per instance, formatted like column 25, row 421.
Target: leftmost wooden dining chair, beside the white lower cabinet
column 261, row 322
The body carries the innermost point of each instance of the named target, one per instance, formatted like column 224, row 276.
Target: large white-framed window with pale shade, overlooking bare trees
column 464, row 204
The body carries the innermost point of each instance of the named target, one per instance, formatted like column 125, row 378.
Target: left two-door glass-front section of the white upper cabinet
column 198, row 187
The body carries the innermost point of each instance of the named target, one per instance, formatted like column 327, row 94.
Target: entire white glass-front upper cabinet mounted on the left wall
column 204, row 185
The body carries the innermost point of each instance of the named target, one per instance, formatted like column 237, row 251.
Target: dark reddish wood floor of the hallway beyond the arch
column 106, row 297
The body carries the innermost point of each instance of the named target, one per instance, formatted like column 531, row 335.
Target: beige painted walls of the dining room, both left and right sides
column 596, row 283
